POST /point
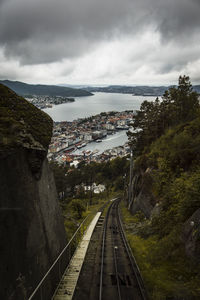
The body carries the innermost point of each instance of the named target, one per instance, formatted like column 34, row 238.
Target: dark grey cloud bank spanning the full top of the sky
column 43, row 31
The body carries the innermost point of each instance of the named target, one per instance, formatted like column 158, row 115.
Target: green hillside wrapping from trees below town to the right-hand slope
column 162, row 211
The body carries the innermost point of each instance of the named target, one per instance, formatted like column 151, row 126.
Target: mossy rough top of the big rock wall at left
column 21, row 123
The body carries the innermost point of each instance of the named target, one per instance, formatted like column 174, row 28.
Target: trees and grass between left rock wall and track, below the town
column 77, row 198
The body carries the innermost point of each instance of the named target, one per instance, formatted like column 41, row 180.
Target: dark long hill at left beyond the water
column 23, row 89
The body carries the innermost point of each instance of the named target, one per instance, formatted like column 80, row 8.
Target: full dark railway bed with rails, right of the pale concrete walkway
column 110, row 271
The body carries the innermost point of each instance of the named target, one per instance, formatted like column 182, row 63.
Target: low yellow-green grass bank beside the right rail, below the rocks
column 165, row 269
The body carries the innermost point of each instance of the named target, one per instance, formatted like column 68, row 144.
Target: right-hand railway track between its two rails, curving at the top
column 119, row 274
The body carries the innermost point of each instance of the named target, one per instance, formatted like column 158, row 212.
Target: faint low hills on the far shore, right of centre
column 135, row 90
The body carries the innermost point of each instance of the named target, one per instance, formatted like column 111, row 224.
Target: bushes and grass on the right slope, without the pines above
column 157, row 244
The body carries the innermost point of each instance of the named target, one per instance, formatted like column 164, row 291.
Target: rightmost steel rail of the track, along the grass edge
column 132, row 260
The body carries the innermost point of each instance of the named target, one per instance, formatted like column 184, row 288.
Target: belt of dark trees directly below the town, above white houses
column 70, row 181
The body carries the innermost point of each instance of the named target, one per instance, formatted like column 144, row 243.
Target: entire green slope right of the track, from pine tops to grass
column 167, row 143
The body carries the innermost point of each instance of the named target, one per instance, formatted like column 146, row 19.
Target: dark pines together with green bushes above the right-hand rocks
column 169, row 144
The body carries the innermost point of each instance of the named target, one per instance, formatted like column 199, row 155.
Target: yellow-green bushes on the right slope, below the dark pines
column 175, row 158
